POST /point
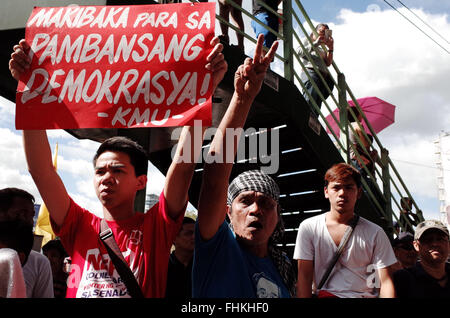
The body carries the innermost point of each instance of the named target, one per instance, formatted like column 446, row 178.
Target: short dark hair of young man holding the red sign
column 137, row 154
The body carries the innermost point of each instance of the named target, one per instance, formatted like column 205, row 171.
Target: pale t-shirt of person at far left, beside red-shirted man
column 38, row 276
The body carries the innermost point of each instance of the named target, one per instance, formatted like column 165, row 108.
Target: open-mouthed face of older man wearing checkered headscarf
column 254, row 217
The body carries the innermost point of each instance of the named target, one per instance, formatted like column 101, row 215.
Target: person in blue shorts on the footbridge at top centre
column 267, row 18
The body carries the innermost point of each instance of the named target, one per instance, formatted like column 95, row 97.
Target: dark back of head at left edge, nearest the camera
column 17, row 235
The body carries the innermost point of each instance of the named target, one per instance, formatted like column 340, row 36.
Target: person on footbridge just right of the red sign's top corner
column 225, row 11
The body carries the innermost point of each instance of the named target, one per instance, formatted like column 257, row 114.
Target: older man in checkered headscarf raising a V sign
column 239, row 259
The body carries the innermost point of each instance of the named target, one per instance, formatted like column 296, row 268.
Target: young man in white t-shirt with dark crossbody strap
column 368, row 248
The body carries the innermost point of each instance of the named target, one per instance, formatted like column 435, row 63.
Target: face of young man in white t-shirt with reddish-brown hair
column 342, row 195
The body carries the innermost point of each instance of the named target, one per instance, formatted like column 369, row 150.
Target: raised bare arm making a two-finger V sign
column 247, row 82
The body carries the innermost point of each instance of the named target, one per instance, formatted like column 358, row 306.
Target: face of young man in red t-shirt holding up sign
column 115, row 181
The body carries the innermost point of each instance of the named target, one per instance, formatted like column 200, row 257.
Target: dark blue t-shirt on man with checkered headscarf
column 222, row 269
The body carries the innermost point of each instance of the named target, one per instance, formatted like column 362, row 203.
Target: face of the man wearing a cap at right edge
column 433, row 247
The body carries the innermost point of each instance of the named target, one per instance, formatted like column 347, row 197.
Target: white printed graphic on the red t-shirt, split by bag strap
column 100, row 279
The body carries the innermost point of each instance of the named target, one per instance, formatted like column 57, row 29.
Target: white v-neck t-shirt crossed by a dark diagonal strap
column 354, row 274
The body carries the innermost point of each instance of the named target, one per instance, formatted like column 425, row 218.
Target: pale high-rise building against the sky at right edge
column 443, row 164
